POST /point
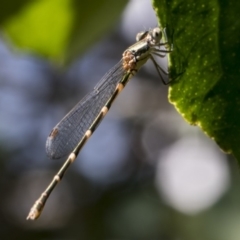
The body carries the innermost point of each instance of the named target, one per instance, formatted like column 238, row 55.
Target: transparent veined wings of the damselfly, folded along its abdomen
column 70, row 130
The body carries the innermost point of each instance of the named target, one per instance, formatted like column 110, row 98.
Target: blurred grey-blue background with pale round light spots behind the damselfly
column 144, row 174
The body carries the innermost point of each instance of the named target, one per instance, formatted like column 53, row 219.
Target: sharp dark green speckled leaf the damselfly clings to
column 207, row 49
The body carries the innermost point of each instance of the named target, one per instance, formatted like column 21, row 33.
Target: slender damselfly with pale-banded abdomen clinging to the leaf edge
column 72, row 132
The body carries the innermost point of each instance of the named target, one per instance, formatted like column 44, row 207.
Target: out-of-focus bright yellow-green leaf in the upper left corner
column 59, row 29
